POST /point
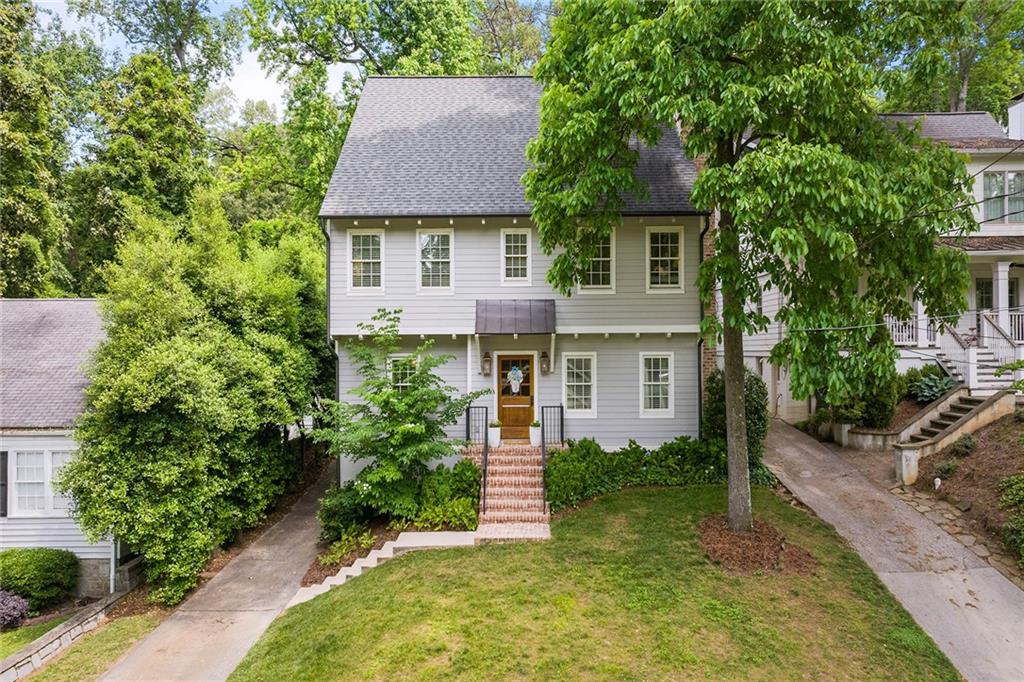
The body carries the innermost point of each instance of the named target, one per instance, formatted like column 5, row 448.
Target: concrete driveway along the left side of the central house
column 211, row 632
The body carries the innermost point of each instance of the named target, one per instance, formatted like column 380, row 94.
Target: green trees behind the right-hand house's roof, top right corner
column 966, row 56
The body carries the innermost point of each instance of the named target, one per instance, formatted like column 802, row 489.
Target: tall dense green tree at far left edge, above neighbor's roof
column 30, row 231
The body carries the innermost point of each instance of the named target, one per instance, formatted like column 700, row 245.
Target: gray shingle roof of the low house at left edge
column 44, row 345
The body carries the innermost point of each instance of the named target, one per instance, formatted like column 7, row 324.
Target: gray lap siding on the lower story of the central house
column 618, row 416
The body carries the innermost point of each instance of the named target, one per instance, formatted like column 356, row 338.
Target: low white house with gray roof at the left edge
column 44, row 345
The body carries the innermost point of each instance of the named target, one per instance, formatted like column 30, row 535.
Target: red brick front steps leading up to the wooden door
column 513, row 505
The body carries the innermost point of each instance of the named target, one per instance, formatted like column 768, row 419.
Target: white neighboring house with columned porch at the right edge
column 992, row 332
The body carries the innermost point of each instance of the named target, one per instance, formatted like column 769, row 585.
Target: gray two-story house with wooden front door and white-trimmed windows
column 425, row 212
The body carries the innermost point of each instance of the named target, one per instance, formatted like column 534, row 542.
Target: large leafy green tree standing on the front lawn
column 810, row 189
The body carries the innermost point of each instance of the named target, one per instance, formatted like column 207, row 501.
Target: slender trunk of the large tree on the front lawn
column 741, row 516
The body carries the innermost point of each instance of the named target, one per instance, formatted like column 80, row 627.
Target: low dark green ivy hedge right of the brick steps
column 585, row 471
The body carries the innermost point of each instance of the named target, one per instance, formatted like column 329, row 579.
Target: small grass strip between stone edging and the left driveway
column 94, row 655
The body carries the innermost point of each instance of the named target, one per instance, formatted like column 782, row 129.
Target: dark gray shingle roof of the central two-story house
column 456, row 146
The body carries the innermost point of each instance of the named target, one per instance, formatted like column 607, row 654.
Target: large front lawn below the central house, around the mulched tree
column 623, row 591
